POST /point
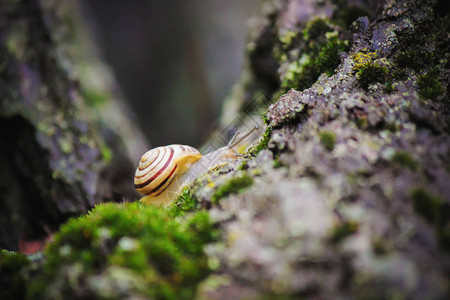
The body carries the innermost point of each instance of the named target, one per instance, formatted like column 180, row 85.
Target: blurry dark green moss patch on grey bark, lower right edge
column 426, row 204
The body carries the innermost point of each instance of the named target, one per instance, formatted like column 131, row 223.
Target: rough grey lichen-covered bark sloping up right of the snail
column 351, row 199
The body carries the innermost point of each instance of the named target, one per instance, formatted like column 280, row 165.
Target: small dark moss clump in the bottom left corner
column 12, row 275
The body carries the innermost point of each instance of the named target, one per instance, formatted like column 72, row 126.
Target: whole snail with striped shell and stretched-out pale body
column 163, row 171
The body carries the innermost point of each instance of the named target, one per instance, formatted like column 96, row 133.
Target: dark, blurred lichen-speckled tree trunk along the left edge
column 53, row 145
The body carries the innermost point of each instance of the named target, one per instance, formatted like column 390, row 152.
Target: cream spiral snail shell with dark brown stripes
column 158, row 168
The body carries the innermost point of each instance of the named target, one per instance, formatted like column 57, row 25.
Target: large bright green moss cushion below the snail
column 126, row 250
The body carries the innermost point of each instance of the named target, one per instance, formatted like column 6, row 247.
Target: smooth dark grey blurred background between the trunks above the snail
column 174, row 60
